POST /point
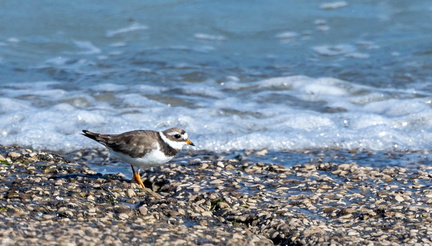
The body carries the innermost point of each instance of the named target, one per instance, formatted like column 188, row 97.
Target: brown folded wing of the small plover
column 133, row 143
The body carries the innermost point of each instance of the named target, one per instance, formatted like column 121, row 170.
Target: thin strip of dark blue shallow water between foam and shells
column 101, row 163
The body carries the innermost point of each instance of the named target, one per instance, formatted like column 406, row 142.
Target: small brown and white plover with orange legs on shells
column 143, row 148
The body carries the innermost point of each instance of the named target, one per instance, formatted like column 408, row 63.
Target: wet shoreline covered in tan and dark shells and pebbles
column 52, row 201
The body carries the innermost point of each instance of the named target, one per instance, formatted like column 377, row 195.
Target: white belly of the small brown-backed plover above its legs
column 153, row 158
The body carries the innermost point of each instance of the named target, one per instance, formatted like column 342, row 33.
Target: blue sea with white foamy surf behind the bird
column 282, row 75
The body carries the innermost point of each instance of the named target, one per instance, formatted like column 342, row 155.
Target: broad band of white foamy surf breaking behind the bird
column 295, row 112
